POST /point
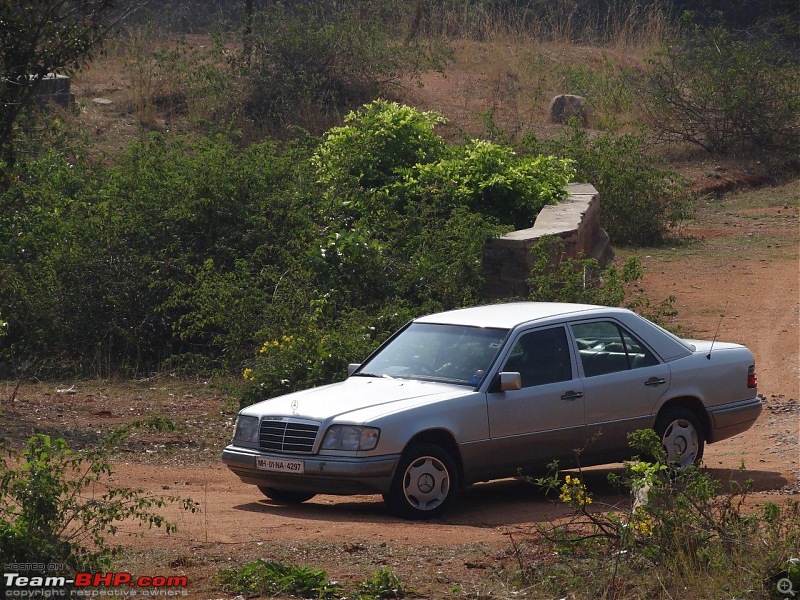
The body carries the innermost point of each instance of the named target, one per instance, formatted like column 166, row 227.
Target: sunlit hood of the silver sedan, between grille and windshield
column 357, row 399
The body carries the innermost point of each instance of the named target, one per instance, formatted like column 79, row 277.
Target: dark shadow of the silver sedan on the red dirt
column 499, row 503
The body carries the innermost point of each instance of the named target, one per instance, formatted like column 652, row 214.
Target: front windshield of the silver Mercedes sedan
column 451, row 353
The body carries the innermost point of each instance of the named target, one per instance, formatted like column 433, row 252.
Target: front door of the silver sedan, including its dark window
column 544, row 420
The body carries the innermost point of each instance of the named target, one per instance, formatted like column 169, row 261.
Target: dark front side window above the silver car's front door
column 541, row 357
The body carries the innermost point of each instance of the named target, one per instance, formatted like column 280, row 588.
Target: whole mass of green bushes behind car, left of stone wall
column 192, row 252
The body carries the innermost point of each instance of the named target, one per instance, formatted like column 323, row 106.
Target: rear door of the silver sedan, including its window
column 622, row 381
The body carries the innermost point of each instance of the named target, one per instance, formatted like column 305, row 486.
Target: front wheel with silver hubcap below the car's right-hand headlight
column 425, row 483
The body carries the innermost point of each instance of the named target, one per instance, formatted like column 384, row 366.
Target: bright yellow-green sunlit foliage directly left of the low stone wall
column 389, row 153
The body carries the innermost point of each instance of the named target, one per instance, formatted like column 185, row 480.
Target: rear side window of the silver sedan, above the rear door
column 605, row 347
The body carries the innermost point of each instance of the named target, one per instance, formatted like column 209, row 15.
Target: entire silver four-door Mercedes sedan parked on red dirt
column 496, row 391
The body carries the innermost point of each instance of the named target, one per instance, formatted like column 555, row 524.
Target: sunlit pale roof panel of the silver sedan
column 511, row 314
